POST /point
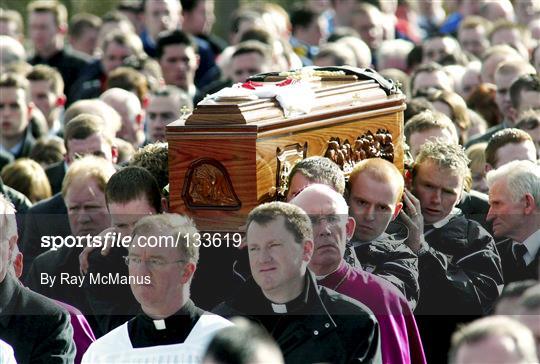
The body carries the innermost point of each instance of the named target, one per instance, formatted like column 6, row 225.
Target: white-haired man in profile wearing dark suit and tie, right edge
column 514, row 197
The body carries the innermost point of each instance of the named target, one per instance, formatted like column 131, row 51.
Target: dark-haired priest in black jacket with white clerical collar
column 309, row 323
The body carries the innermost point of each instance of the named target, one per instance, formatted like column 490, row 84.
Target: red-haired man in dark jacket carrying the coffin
column 375, row 199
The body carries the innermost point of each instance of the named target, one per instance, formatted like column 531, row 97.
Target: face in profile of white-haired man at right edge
column 505, row 214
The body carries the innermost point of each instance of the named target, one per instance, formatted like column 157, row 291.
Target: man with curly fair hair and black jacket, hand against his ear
column 460, row 269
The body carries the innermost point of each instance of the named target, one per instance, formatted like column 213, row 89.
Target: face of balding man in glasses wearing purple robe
column 331, row 230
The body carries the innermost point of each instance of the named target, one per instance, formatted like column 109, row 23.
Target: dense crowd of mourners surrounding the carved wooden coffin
column 437, row 264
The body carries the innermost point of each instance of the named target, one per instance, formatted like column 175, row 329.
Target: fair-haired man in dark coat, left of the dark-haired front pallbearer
column 55, row 273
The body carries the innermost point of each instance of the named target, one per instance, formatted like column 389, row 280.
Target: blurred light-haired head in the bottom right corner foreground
column 494, row 339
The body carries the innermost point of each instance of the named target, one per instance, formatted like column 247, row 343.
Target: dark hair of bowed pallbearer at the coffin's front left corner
column 131, row 183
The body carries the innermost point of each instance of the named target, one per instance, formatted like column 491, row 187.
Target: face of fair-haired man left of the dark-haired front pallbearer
column 87, row 211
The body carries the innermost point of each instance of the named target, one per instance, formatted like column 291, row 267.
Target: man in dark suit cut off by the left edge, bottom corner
column 38, row 330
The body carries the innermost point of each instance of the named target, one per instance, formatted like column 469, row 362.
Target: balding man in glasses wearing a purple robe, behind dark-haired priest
column 332, row 228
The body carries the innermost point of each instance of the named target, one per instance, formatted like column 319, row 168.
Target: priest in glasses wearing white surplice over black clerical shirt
column 160, row 276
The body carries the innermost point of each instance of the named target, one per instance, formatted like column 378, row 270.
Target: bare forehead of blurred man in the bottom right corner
column 493, row 349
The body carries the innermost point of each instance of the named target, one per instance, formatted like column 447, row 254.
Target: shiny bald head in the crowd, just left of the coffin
column 129, row 108
